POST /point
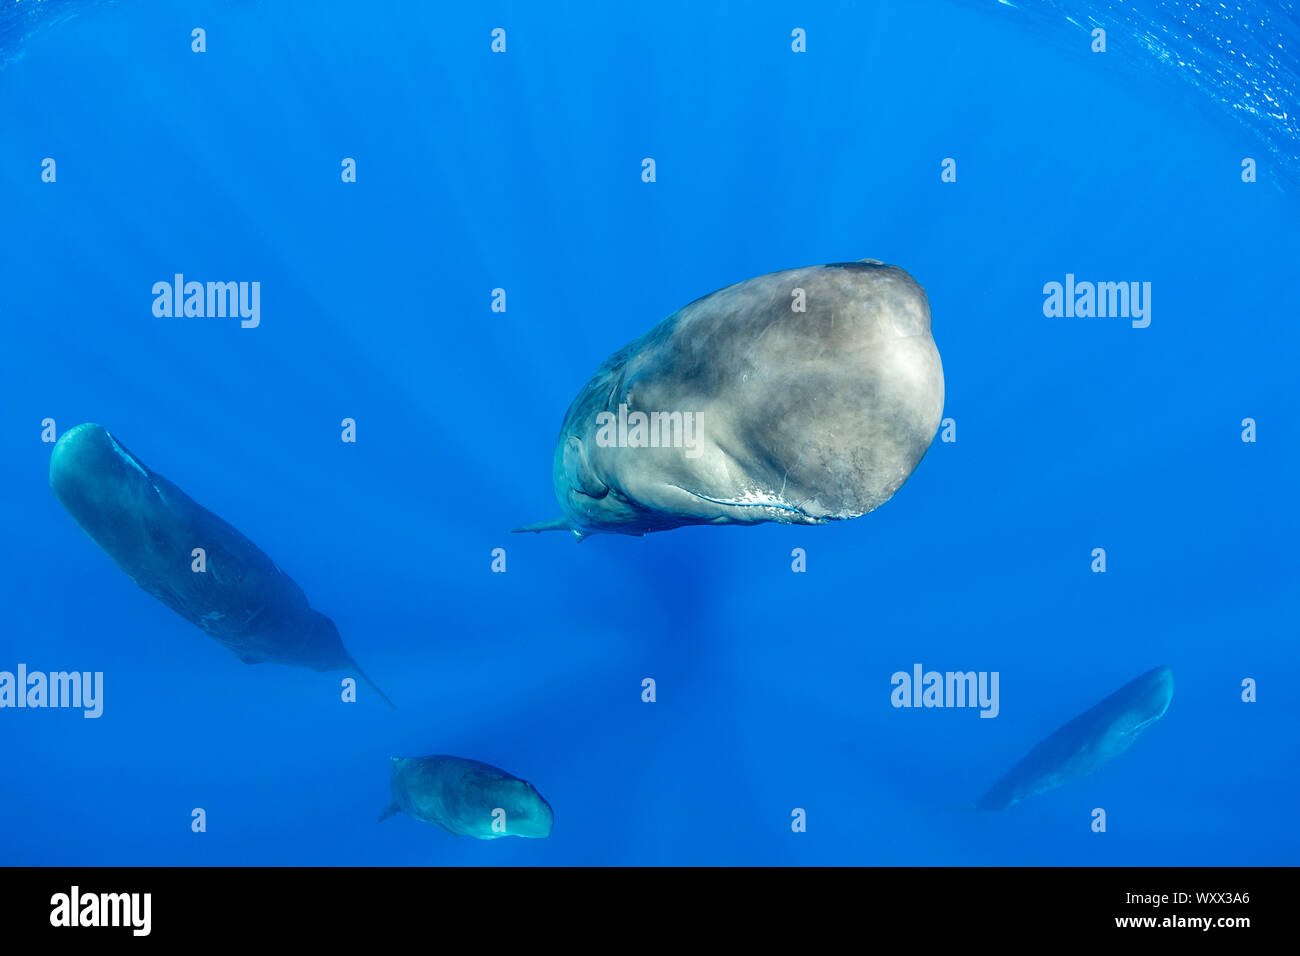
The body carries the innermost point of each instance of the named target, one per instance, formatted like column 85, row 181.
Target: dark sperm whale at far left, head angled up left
column 151, row 530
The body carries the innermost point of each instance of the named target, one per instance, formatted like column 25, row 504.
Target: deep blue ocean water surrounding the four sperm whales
column 522, row 171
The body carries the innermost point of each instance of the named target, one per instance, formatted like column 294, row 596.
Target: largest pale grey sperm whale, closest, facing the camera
column 800, row 397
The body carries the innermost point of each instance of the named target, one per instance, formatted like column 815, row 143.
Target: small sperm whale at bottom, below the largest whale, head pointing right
column 466, row 798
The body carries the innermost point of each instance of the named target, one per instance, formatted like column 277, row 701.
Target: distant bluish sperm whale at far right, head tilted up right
column 1087, row 742
